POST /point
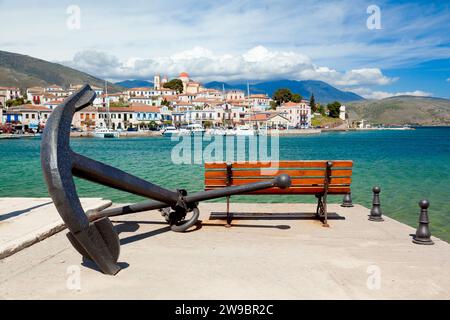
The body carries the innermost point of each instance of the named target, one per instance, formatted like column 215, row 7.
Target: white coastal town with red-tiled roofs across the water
column 175, row 103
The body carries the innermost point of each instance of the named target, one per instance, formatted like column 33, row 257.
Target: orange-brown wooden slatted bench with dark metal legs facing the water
column 317, row 177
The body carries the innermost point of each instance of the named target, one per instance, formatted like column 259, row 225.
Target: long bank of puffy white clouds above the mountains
column 258, row 63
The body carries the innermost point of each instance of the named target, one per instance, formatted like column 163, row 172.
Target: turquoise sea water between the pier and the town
column 408, row 165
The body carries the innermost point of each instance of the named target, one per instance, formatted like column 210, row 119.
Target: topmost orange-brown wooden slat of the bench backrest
column 283, row 164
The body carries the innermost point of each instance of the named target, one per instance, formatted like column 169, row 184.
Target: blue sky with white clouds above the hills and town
column 374, row 48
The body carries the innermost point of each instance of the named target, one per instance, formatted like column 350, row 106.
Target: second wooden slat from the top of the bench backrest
column 270, row 174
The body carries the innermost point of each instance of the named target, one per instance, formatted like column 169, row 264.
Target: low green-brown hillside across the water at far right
column 402, row 110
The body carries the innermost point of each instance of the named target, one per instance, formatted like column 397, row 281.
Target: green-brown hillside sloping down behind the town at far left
column 25, row 71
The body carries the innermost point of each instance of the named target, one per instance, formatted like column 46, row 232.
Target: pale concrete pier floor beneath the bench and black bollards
column 274, row 251
